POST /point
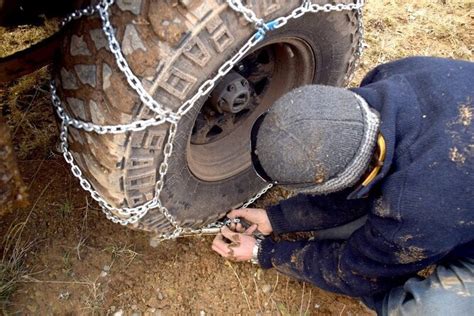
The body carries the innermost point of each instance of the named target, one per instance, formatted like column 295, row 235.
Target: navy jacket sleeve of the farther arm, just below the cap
column 309, row 213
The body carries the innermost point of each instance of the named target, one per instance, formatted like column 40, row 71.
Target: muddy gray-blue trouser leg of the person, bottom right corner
column 448, row 291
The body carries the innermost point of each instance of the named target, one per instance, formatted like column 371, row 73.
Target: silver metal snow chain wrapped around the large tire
column 125, row 216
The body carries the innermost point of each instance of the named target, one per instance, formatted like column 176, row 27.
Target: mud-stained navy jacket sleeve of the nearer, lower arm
column 361, row 266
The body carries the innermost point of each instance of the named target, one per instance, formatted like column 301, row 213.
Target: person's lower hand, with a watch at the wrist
column 233, row 245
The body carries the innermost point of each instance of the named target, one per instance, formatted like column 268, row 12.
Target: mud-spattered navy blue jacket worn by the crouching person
column 420, row 207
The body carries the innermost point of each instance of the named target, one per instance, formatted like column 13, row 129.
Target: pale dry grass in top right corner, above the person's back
column 396, row 29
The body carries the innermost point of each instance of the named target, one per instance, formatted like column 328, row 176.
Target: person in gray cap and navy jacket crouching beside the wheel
column 386, row 178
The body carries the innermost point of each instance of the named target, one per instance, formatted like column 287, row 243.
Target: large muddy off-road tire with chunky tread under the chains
column 173, row 47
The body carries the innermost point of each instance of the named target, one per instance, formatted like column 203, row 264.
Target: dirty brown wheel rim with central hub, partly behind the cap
column 219, row 144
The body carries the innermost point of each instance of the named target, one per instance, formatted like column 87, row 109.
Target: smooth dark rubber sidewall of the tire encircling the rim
column 195, row 202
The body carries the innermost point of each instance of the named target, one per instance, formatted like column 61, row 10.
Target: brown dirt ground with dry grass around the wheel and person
column 70, row 260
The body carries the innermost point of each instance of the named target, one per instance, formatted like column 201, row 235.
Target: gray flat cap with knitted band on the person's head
column 315, row 139
